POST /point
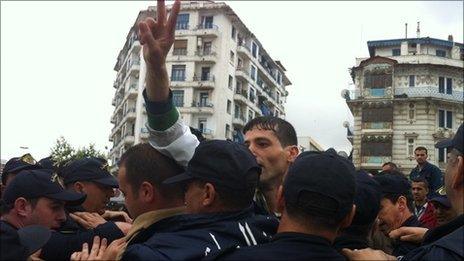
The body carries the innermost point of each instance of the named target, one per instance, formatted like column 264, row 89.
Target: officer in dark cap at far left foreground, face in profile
column 32, row 198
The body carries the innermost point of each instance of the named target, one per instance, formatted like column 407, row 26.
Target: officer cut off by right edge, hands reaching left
column 443, row 242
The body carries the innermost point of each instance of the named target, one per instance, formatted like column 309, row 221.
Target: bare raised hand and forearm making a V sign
column 157, row 38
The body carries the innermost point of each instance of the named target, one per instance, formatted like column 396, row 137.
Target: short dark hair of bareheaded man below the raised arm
column 144, row 163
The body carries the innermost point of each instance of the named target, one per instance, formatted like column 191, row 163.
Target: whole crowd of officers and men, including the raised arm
column 188, row 198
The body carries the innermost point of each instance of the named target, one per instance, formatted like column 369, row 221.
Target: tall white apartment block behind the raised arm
column 221, row 77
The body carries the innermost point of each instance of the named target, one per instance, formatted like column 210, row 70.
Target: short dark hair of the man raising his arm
column 284, row 131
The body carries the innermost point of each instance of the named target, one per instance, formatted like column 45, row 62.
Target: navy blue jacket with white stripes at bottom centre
column 187, row 237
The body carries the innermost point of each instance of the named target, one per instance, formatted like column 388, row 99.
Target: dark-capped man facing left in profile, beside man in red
column 396, row 209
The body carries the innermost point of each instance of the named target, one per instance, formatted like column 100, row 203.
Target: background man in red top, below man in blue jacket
column 423, row 210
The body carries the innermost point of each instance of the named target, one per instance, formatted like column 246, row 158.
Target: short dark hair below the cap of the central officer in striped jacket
column 233, row 199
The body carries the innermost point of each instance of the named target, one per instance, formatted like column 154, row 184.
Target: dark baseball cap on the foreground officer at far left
column 39, row 183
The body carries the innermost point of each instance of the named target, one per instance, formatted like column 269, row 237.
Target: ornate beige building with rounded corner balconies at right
column 408, row 93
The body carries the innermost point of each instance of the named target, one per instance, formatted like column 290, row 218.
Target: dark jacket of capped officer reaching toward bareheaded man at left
column 70, row 237
